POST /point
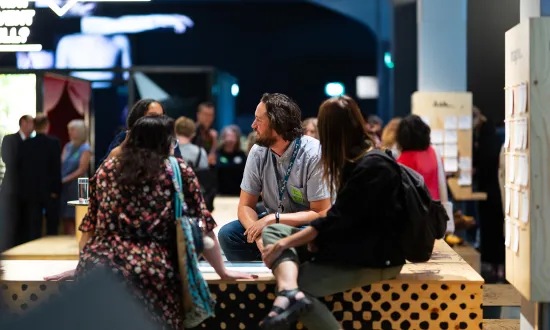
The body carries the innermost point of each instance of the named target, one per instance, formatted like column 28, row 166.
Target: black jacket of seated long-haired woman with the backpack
column 364, row 226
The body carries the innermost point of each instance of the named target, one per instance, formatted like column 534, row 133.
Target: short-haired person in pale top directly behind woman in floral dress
column 192, row 154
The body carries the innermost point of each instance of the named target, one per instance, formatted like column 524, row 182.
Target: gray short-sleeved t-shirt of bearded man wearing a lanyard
column 305, row 183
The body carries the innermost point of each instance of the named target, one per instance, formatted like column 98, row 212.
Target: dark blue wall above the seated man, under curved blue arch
column 288, row 48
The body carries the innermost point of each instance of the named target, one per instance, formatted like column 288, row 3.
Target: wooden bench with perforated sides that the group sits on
column 444, row 293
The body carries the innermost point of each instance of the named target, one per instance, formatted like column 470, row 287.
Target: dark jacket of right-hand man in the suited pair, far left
column 40, row 168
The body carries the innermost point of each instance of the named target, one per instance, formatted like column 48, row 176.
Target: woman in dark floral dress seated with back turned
column 130, row 224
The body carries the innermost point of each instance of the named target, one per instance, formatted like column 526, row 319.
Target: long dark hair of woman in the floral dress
column 149, row 143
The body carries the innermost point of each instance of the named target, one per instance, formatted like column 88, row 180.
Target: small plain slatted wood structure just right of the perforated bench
column 501, row 295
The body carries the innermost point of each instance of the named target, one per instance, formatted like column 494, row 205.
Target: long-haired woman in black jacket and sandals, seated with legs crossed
column 356, row 243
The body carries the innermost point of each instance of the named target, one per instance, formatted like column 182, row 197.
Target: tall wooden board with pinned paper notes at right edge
column 527, row 143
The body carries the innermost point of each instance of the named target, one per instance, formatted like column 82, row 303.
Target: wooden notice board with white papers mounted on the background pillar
column 449, row 116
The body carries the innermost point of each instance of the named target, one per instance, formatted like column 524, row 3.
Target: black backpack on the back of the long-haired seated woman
column 426, row 219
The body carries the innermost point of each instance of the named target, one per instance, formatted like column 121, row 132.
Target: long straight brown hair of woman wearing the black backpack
column 343, row 137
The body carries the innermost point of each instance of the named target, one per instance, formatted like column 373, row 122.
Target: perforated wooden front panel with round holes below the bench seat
column 388, row 305
